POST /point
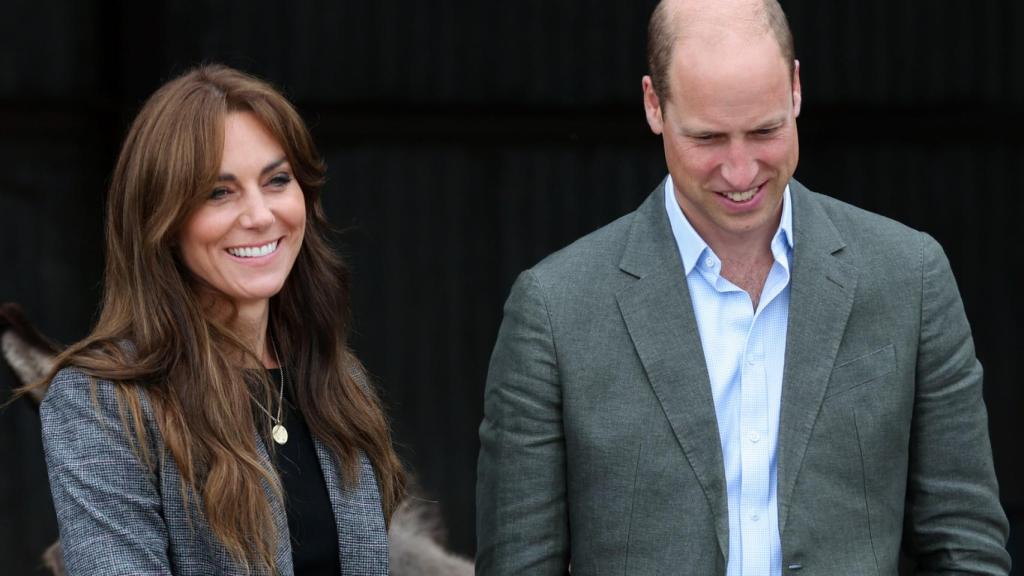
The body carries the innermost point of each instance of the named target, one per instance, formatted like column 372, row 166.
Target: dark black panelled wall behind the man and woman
column 467, row 140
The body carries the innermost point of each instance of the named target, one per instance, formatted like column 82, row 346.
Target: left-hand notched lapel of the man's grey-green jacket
column 659, row 315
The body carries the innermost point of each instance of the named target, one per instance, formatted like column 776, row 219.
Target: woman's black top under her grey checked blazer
column 311, row 517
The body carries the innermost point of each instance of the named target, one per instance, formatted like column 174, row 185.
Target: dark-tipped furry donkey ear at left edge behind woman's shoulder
column 30, row 355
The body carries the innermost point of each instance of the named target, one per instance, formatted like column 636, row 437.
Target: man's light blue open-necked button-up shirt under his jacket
column 745, row 351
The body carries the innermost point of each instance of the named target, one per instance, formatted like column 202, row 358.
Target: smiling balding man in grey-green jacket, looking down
column 743, row 377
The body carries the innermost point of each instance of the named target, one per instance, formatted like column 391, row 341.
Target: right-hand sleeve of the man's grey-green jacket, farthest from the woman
column 956, row 522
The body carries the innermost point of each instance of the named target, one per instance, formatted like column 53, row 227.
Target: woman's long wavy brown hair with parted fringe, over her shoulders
column 155, row 333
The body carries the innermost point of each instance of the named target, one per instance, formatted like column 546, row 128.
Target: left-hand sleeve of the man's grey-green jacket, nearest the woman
column 522, row 513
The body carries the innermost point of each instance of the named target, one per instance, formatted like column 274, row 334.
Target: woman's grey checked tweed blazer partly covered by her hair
column 117, row 518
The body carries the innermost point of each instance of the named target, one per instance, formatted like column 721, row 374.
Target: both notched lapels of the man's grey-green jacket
column 659, row 315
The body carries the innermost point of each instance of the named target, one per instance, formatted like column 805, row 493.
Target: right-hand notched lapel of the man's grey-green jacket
column 822, row 294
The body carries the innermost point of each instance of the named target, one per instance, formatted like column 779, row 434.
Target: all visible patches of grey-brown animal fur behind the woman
column 416, row 533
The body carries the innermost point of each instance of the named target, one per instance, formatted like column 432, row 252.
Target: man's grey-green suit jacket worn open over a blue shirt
column 600, row 441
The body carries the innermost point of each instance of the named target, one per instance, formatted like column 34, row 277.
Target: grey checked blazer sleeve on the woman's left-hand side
column 107, row 501
